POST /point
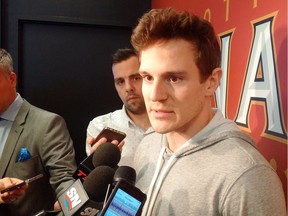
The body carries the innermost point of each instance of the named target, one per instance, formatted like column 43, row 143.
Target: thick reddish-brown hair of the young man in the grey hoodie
column 161, row 25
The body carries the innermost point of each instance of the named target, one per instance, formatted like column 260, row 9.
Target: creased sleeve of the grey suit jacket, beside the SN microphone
column 57, row 153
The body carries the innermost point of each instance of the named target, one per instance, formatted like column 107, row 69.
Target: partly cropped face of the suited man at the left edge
column 7, row 88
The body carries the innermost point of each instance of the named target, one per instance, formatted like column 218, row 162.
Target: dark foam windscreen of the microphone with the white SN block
column 96, row 183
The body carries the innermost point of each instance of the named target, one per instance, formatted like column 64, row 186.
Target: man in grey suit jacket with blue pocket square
column 32, row 141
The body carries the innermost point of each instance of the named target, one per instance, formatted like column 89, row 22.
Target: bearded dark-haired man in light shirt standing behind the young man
column 132, row 119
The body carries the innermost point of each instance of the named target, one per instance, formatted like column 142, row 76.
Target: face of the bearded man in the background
column 128, row 84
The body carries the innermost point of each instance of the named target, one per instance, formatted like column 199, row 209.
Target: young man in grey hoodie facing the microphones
column 206, row 165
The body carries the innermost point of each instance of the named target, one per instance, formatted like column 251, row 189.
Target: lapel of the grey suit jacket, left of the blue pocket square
column 13, row 137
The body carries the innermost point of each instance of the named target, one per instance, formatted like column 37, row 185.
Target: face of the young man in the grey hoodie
column 176, row 100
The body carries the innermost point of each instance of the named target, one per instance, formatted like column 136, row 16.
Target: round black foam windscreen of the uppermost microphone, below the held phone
column 106, row 154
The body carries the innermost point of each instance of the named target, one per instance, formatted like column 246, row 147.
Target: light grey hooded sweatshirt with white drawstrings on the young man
column 217, row 172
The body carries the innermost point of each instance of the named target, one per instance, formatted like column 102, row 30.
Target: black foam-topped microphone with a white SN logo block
column 87, row 198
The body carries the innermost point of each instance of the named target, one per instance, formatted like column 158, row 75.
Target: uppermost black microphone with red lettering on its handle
column 106, row 154
